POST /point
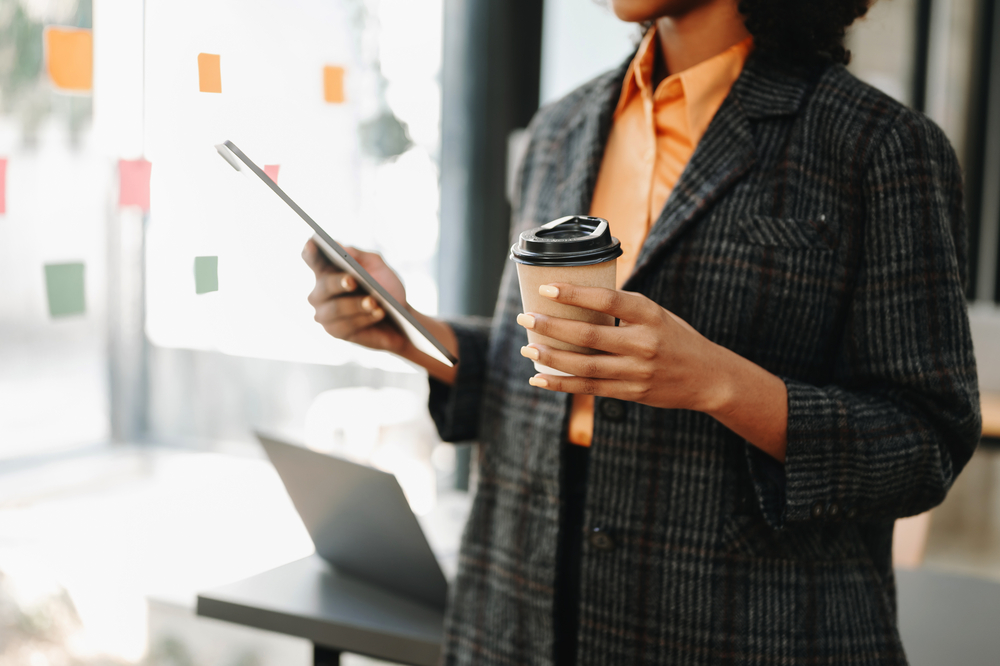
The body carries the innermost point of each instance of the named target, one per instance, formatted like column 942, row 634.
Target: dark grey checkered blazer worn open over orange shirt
column 818, row 231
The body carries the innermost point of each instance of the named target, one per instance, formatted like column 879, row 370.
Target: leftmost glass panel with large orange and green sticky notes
column 54, row 196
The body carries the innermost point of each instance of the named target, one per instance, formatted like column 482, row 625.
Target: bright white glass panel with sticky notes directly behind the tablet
column 342, row 99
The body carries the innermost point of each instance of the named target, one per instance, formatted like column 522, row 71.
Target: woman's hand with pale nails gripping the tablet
column 347, row 314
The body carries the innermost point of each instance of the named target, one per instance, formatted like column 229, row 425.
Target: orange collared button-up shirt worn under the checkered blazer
column 652, row 138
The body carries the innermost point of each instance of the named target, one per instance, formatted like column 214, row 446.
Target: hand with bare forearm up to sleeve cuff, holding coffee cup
column 657, row 359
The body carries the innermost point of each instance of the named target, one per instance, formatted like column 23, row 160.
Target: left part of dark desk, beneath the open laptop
column 309, row 599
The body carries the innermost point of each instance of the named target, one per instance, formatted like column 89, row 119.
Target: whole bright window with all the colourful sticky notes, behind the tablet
column 342, row 97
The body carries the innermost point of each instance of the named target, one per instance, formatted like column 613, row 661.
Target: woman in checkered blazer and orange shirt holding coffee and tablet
column 793, row 371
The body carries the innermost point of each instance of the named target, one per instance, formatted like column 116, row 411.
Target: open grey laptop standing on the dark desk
column 360, row 521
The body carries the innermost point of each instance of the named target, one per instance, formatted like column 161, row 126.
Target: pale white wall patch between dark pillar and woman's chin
column 580, row 39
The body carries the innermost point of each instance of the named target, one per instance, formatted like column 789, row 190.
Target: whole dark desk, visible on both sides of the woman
column 943, row 618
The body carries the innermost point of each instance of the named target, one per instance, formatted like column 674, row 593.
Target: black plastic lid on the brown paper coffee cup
column 575, row 240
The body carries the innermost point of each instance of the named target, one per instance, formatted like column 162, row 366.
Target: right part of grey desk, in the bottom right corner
column 948, row 618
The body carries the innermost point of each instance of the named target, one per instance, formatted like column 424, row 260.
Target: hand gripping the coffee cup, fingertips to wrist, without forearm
column 654, row 357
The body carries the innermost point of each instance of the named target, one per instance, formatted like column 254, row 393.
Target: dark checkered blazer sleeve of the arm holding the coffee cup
column 887, row 437
